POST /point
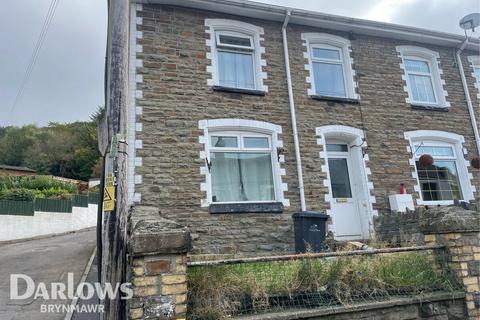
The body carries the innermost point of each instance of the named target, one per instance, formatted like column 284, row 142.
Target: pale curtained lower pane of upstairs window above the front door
column 329, row 79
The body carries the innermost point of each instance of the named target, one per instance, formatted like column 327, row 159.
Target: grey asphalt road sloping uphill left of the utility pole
column 44, row 260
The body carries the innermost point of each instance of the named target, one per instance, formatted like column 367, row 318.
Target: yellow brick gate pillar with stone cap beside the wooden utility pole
column 157, row 266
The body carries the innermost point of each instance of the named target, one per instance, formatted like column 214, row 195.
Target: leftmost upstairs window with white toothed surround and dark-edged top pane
column 235, row 55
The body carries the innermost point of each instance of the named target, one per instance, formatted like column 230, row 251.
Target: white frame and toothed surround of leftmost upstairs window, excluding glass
column 217, row 27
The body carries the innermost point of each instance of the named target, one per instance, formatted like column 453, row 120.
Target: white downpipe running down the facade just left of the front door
column 292, row 112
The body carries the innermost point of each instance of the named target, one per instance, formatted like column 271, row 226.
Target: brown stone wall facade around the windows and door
column 173, row 96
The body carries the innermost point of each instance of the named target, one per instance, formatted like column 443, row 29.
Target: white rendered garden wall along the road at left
column 16, row 226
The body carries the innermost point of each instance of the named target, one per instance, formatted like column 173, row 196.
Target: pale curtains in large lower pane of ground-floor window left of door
column 242, row 177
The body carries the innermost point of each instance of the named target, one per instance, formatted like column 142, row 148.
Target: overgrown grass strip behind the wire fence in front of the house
column 222, row 291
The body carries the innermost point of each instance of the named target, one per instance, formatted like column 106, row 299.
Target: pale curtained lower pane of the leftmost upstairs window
column 236, row 69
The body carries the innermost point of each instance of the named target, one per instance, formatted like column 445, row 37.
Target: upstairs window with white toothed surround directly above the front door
column 330, row 66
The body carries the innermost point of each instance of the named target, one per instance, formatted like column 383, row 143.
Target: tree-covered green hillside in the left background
column 67, row 150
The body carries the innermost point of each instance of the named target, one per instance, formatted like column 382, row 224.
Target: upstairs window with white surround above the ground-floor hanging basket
column 422, row 75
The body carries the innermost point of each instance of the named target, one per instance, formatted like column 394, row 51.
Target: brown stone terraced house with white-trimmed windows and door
column 243, row 113
